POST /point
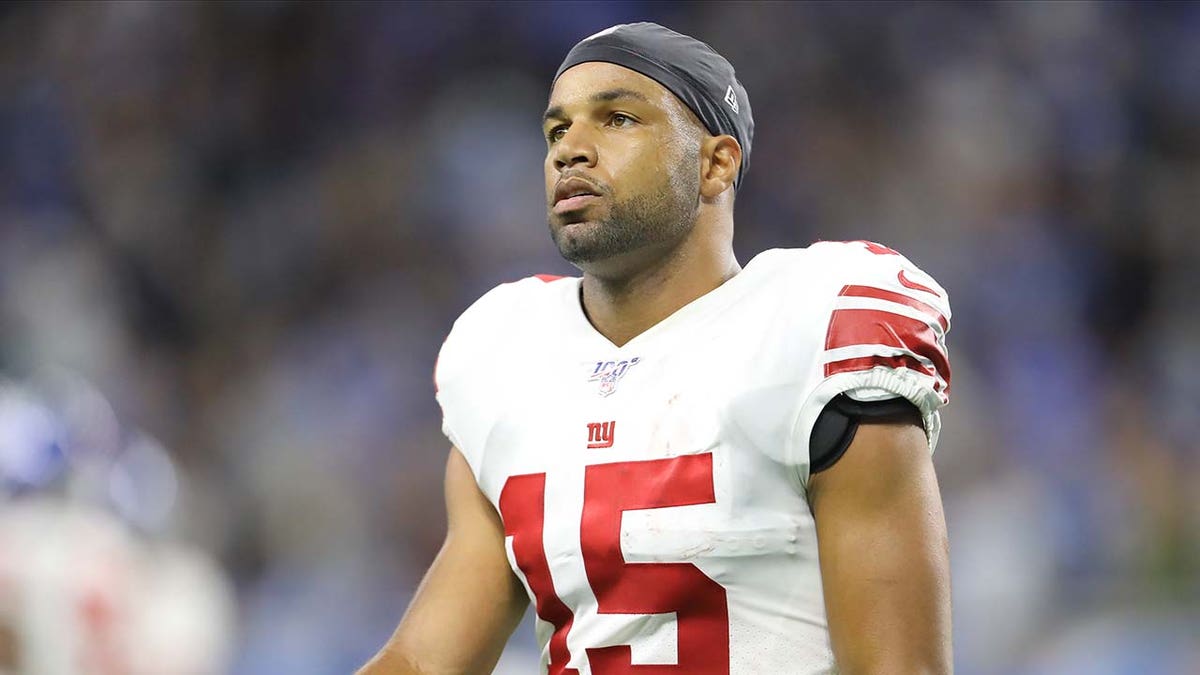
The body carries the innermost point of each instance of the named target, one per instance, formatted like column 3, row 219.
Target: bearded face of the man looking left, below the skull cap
column 622, row 165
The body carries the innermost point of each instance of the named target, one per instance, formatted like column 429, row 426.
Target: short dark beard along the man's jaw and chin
column 658, row 217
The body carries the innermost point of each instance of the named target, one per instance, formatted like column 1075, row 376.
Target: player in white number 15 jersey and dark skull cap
column 687, row 467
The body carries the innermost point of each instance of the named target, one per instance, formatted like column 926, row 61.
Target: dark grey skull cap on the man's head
column 688, row 68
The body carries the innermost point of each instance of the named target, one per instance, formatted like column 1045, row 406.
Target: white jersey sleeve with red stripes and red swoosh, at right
column 885, row 337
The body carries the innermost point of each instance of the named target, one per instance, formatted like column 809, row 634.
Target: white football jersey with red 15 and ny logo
column 655, row 495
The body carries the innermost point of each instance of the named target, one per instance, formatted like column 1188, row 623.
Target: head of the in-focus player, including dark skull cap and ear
column 646, row 129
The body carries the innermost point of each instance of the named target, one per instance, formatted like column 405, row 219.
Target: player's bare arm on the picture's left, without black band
column 470, row 602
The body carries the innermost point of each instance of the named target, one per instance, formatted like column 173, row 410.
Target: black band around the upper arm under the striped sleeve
column 837, row 425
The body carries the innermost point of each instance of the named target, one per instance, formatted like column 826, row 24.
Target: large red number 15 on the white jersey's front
column 623, row 588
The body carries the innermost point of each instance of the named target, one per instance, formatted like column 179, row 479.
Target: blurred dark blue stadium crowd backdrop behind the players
column 239, row 232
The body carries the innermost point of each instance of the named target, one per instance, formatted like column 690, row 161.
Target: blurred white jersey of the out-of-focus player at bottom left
column 83, row 595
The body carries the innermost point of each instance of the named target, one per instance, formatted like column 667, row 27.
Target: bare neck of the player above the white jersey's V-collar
column 622, row 309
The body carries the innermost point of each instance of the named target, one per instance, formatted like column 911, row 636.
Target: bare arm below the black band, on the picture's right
column 885, row 555
